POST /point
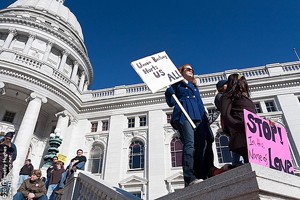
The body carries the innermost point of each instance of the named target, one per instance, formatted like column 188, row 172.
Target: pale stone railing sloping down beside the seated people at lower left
column 83, row 185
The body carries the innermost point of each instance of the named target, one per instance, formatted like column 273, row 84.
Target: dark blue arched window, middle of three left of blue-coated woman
column 136, row 155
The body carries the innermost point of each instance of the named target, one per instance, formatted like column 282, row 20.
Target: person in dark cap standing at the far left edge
column 8, row 154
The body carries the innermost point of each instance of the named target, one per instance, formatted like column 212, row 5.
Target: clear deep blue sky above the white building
column 212, row 36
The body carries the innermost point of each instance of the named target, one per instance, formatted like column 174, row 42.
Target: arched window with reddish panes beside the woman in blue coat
column 176, row 152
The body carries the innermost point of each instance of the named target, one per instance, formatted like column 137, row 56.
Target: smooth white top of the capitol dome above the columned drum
column 53, row 7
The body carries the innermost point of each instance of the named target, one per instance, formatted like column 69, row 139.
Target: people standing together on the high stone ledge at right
column 197, row 157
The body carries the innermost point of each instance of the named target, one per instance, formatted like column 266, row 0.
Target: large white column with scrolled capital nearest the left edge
column 25, row 133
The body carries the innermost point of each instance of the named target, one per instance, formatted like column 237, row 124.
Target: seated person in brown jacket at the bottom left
column 32, row 188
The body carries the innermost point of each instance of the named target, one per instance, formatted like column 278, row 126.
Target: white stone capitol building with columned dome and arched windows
column 45, row 73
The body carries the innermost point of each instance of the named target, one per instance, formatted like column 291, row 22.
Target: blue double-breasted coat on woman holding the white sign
column 189, row 97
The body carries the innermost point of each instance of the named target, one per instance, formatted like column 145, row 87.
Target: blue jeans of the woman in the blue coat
column 186, row 132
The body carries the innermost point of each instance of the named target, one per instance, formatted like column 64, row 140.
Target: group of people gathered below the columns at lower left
column 31, row 184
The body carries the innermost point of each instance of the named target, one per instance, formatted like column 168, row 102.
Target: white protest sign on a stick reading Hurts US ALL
column 157, row 71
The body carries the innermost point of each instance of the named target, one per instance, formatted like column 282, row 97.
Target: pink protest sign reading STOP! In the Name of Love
column 267, row 145
